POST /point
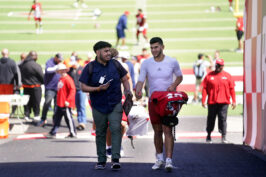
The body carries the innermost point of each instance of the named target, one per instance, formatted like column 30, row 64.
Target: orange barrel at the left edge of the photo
column 4, row 117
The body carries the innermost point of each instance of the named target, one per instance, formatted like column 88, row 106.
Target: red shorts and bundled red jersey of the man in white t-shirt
column 164, row 103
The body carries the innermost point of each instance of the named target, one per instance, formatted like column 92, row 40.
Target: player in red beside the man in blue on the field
column 141, row 25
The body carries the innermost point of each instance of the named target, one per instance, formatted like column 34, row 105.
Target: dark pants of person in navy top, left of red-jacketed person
column 49, row 96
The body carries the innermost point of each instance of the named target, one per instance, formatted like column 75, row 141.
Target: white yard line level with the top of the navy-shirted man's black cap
column 167, row 40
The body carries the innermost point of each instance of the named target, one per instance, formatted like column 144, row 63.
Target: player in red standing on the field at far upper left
column 37, row 8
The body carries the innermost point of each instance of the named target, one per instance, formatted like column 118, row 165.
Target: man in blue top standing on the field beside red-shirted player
column 120, row 30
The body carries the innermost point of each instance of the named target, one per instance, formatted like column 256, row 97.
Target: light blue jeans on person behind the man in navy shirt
column 81, row 106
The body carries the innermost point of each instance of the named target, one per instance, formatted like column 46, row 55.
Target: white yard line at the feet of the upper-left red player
column 229, row 28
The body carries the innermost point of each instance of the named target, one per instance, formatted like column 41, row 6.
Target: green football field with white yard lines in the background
column 187, row 27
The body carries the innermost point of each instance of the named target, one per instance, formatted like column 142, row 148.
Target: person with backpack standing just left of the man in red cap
column 200, row 70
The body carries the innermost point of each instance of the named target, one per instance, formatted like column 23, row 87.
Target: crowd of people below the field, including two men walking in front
column 106, row 78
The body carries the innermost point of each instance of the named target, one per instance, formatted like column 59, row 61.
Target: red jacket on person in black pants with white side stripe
column 66, row 92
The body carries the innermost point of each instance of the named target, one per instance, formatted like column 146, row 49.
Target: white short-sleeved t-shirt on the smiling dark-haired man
column 160, row 74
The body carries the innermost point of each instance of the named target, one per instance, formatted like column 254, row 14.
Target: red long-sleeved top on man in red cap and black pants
column 219, row 87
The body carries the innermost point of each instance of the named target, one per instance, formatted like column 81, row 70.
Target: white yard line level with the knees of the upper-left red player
column 114, row 21
